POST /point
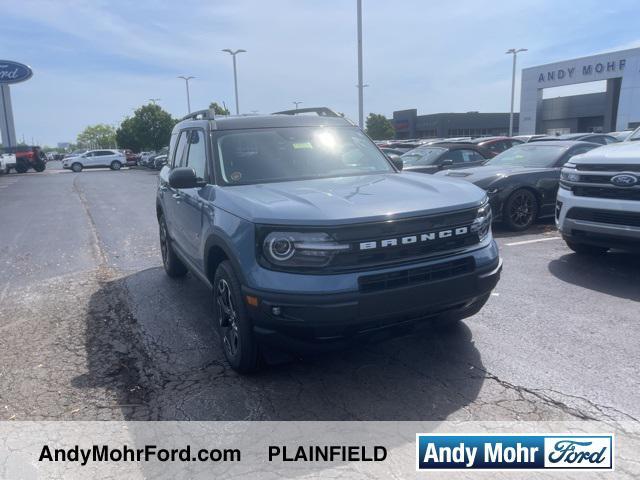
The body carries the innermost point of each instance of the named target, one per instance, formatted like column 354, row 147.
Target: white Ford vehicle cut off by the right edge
column 598, row 205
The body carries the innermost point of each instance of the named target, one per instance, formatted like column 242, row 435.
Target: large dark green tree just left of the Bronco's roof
column 148, row 129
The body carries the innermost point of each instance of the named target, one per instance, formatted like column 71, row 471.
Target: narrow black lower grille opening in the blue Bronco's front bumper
column 416, row 276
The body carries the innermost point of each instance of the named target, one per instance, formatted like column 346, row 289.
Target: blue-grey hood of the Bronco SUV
column 344, row 200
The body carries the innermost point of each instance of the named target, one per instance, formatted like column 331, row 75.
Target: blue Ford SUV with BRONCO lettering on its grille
column 309, row 236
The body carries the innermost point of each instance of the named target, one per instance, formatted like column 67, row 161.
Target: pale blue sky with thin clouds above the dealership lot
column 95, row 61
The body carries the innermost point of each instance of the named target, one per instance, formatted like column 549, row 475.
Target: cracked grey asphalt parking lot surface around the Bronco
column 91, row 328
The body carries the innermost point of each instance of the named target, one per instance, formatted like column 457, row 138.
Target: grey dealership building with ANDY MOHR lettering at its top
column 616, row 108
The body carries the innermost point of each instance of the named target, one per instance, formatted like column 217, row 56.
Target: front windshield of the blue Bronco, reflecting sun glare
column 284, row 154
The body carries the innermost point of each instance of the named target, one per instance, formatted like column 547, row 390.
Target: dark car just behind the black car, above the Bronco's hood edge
column 443, row 156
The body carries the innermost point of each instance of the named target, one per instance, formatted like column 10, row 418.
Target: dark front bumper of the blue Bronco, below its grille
column 304, row 322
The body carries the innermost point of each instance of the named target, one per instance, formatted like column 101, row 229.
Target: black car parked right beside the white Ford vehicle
column 522, row 182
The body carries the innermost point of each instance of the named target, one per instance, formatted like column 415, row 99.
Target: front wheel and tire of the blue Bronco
column 234, row 326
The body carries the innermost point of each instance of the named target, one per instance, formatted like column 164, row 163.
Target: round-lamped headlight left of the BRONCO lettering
column 301, row 249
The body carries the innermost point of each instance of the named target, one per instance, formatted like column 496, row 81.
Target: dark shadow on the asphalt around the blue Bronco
column 151, row 340
